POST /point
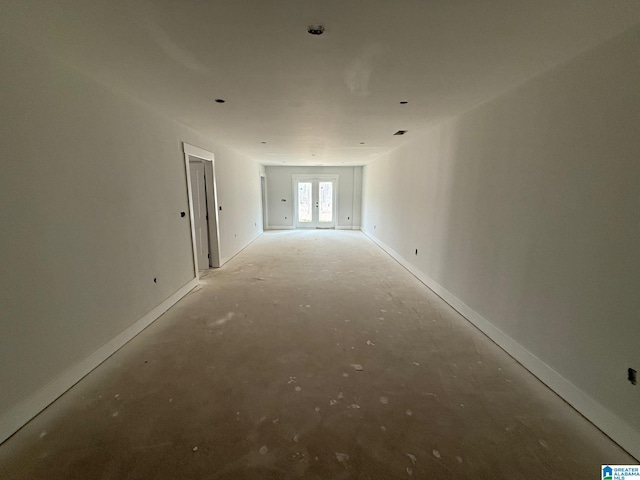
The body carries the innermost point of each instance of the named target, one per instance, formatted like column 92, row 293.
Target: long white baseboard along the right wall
column 612, row 425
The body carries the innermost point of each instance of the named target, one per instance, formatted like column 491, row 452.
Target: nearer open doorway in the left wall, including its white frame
column 203, row 207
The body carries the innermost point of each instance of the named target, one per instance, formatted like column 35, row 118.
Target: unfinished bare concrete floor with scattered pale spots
column 251, row 376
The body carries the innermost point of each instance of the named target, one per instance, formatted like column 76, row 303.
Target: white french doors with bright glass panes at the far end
column 315, row 202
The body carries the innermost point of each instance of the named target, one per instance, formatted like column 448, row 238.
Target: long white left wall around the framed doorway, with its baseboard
column 91, row 189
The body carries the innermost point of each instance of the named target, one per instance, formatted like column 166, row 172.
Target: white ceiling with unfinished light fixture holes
column 314, row 99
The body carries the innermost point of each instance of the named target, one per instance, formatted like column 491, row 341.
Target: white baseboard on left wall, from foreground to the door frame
column 19, row 415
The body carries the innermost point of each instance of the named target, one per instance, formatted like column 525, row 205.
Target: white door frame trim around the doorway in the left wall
column 212, row 202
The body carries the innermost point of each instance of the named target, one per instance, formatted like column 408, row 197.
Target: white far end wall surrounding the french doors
column 280, row 186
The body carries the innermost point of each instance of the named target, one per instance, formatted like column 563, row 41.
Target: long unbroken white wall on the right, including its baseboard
column 525, row 213
